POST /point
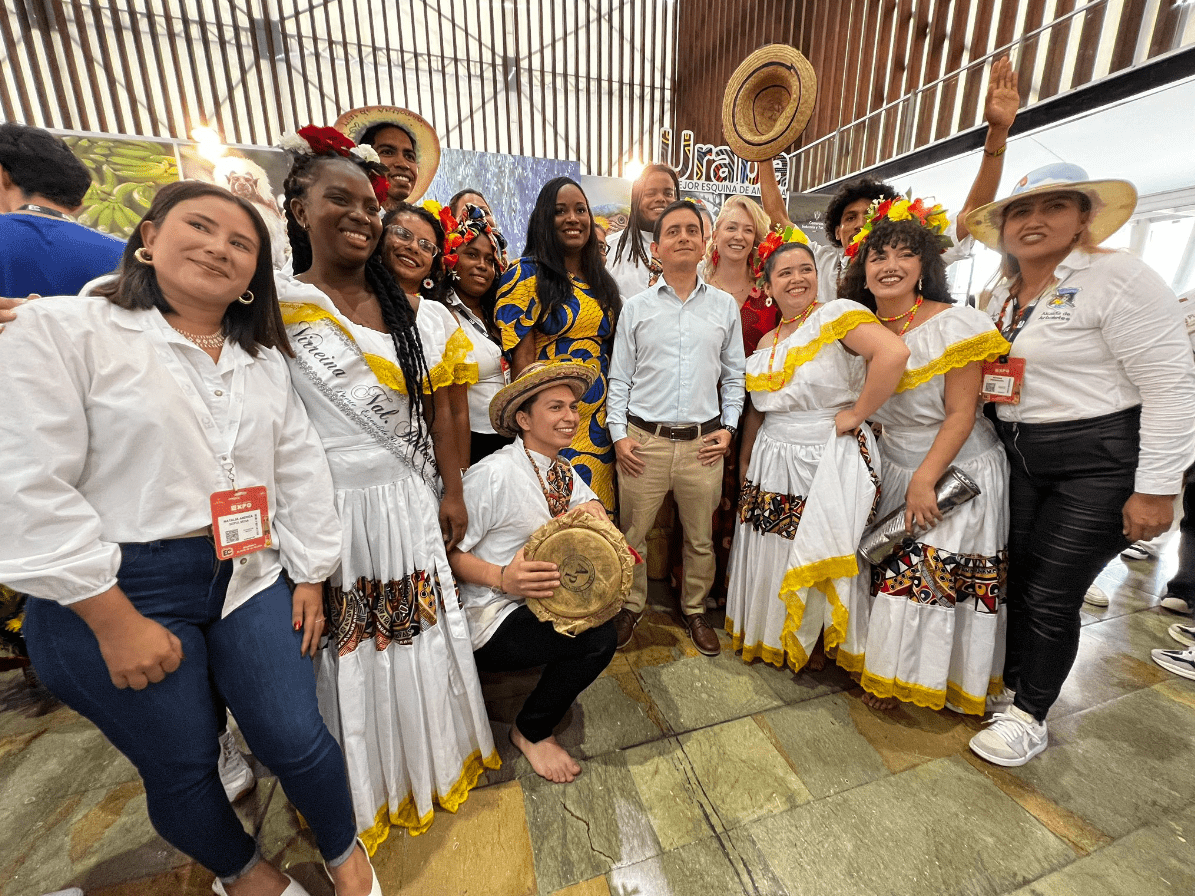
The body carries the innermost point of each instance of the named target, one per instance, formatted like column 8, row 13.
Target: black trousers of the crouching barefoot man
column 571, row 666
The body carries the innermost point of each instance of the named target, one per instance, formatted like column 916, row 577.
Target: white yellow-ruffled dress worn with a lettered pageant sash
column 397, row 683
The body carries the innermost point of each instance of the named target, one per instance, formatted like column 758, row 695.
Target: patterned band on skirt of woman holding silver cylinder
column 941, row 579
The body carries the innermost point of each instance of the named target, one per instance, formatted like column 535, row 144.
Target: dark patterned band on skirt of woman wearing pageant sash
column 388, row 612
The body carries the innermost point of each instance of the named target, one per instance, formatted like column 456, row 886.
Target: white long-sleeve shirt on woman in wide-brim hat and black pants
column 1110, row 337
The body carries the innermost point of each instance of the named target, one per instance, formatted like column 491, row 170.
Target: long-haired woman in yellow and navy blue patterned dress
column 560, row 302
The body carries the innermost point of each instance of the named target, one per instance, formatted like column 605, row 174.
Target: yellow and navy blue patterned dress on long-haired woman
column 583, row 332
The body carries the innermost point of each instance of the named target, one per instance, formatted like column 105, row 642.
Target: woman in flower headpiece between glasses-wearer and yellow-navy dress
column 474, row 257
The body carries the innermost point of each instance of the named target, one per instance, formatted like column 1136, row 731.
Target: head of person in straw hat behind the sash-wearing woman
column 406, row 143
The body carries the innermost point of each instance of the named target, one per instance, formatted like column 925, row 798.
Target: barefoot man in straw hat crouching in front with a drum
column 510, row 495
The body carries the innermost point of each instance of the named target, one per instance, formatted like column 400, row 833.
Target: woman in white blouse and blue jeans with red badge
column 132, row 421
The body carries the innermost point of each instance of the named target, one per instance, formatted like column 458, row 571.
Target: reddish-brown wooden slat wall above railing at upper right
column 896, row 76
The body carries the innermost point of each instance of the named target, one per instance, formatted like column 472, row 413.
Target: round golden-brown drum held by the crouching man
column 596, row 566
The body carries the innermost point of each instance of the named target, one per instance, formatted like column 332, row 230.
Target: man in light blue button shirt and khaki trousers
column 675, row 343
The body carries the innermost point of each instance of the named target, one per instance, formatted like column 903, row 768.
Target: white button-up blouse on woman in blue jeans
column 103, row 445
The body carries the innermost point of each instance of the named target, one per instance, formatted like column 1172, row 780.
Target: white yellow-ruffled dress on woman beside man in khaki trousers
column 807, row 499
